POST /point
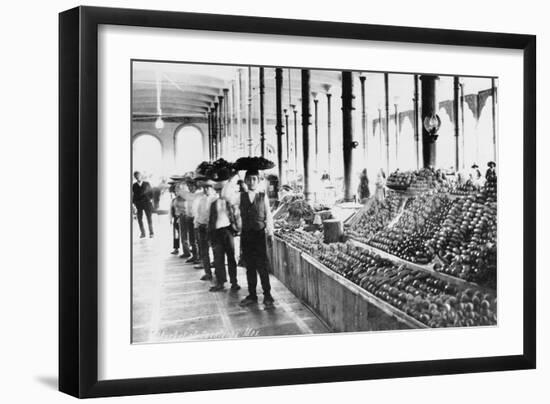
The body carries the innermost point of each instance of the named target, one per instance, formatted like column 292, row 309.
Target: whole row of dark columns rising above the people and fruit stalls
column 426, row 119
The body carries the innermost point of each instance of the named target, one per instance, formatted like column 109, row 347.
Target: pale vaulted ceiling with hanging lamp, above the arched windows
column 181, row 90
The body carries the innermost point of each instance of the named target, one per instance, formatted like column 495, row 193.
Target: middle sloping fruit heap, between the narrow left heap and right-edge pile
column 420, row 221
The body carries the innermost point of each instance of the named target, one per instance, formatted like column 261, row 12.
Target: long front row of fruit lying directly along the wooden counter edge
column 430, row 300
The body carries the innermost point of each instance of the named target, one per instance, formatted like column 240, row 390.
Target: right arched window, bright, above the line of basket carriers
column 189, row 150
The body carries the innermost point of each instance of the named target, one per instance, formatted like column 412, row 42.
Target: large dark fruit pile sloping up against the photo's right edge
column 466, row 242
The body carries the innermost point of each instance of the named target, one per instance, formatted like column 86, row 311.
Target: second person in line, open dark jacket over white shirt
column 224, row 224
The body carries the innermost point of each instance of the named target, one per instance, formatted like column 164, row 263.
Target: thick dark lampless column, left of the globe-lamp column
column 347, row 132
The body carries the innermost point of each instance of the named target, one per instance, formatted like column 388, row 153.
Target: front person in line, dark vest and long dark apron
column 257, row 224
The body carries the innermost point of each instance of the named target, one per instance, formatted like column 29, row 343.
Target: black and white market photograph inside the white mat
column 272, row 201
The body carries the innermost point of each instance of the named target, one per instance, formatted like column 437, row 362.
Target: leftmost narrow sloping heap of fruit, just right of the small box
column 375, row 217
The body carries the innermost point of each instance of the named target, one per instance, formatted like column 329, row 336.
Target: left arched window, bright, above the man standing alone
column 147, row 156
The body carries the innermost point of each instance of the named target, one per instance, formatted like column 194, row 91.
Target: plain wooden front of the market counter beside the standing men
column 342, row 304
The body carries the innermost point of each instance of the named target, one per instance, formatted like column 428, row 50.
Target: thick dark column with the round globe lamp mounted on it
column 429, row 110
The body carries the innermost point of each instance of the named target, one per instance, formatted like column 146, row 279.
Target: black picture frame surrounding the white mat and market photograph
column 78, row 193
